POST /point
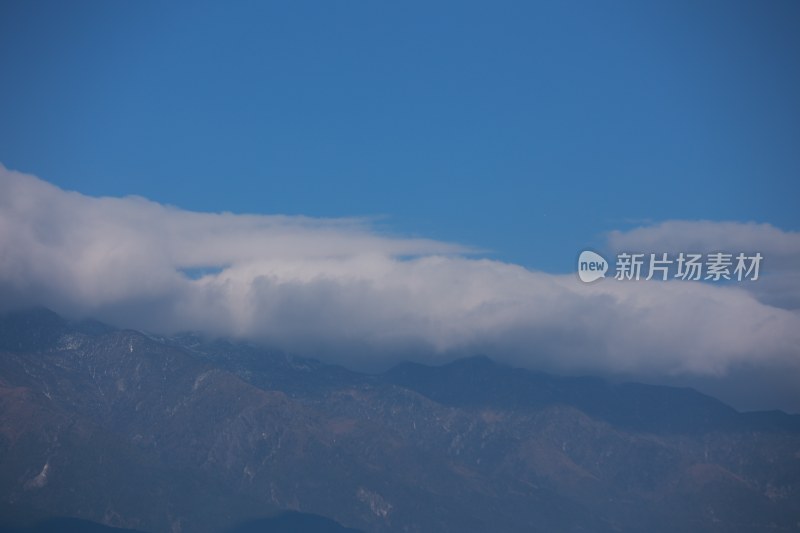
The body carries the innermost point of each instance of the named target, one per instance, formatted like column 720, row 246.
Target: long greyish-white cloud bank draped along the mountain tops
column 337, row 289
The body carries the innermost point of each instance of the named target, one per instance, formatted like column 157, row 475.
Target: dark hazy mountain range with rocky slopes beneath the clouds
column 186, row 435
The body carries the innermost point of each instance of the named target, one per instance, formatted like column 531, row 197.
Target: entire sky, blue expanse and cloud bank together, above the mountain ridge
column 528, row 130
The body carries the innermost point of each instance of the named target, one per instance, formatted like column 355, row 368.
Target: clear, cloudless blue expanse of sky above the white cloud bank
column 526, row 129
